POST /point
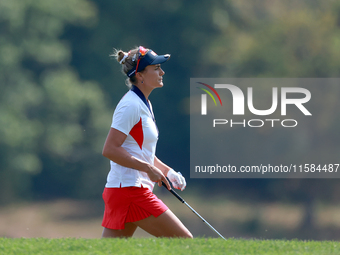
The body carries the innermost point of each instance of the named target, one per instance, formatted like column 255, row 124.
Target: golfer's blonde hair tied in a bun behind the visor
column 129, row 62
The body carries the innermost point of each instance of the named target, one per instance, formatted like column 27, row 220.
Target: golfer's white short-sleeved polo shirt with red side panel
column 133, row 118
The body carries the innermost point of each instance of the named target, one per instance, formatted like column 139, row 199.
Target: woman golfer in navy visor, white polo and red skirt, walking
column 130, row 146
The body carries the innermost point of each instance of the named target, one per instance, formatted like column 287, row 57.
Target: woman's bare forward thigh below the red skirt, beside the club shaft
column 165, row 225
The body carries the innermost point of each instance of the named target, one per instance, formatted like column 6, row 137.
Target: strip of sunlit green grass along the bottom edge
column 148, row 246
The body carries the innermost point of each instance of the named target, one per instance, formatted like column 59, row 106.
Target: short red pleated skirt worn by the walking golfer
column 129, row 204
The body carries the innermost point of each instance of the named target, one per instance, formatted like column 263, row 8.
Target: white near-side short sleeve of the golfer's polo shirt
column 125, row 116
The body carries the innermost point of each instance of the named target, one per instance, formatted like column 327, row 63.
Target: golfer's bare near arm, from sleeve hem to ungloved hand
column 113, row 151
